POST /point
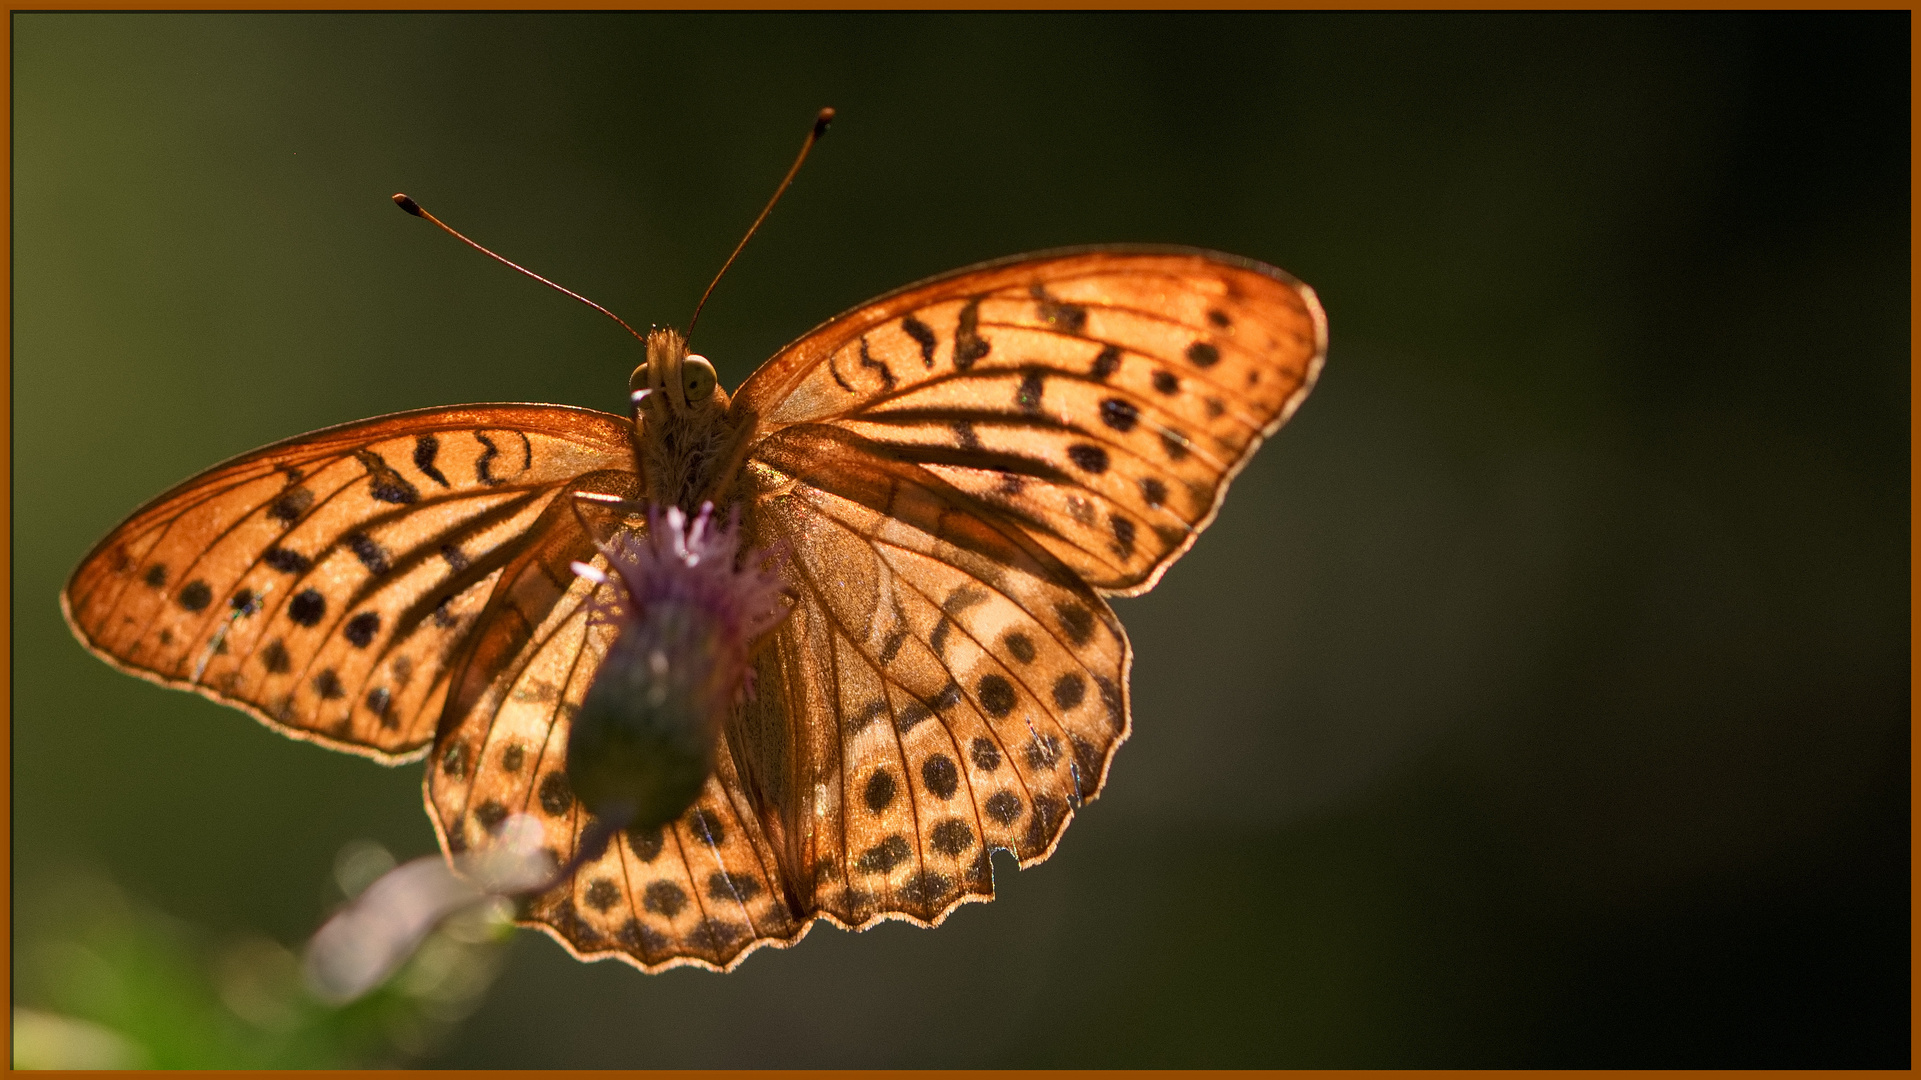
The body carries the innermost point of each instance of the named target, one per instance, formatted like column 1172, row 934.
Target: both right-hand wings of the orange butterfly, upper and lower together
column 960, row 472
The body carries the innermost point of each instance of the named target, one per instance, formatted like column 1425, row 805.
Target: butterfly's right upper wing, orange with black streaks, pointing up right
column 1100, row 399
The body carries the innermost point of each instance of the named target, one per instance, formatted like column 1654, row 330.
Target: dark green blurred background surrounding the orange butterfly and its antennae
column 1540, row 697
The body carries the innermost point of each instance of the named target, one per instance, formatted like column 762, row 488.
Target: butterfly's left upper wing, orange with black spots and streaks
column 329, row 585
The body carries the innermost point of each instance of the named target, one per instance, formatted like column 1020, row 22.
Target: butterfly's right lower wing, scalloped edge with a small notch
column 960, row 689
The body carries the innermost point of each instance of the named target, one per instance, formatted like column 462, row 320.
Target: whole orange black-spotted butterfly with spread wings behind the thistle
column 956, row 478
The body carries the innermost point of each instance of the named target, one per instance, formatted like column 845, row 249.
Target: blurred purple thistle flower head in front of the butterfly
column 691, row 610
